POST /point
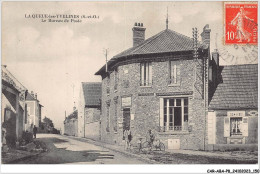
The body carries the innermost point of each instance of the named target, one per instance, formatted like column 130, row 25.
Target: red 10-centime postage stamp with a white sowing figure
column 241, row 23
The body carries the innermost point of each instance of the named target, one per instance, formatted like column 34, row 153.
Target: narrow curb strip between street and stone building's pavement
column 115, row 150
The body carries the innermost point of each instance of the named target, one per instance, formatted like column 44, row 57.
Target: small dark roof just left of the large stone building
column 92, row 92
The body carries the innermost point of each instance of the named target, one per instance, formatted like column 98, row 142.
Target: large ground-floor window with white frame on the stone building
column 175, row 113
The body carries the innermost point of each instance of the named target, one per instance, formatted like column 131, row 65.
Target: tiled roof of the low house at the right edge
column 238, row 89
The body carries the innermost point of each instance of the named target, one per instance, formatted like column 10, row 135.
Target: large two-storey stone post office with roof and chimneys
column 159, row 84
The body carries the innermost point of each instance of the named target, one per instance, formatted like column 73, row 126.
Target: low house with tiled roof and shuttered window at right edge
column 233, row 108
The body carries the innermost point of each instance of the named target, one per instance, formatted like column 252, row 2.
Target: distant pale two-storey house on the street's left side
column 34, row 110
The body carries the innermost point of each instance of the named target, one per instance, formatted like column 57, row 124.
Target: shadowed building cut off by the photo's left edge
column 14, row 109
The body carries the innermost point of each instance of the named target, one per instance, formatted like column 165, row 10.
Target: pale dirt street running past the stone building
column 64, row 150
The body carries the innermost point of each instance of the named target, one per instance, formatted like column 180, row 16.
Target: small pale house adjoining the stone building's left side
column 89, row 110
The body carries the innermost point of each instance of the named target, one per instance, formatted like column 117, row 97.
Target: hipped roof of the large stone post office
column 166, row 41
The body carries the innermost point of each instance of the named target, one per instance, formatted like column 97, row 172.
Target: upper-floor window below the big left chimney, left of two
column 146, row 74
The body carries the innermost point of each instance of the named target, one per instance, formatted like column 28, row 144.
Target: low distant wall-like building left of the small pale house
column 71, row 124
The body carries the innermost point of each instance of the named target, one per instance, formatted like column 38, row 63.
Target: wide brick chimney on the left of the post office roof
column 138, row 34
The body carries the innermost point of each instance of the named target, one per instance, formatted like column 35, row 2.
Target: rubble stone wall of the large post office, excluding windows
column 145, row 106
